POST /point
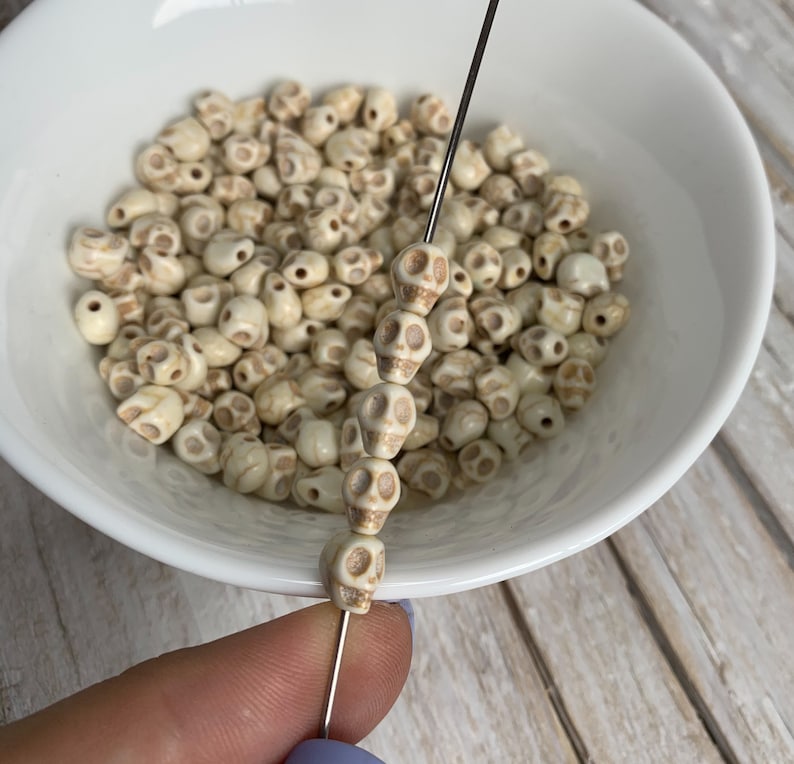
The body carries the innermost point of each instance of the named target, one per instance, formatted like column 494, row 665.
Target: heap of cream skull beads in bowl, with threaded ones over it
column 238, row 290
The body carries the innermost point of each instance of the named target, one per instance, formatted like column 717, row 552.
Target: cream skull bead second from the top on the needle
column 402, row 343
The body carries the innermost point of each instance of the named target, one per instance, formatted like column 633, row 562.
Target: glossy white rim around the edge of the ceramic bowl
column 202, row 558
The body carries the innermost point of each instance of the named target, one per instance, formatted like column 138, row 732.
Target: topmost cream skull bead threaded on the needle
column 420, row 274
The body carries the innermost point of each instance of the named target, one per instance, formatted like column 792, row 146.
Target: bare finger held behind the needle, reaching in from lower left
column 250, row 697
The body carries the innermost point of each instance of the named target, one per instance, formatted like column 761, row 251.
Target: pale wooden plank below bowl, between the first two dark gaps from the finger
column 626, row 703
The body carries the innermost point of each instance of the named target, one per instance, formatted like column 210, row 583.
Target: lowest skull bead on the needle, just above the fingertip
column 351, row 567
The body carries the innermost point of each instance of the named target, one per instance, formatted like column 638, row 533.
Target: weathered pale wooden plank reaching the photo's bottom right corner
column 723, row 596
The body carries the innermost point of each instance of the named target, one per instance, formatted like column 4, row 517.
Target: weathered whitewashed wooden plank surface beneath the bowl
column 670, row 642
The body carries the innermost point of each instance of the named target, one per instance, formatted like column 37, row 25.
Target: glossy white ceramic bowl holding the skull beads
column 601, row 86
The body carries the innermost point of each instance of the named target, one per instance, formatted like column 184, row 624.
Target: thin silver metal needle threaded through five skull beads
column 432, row 220
